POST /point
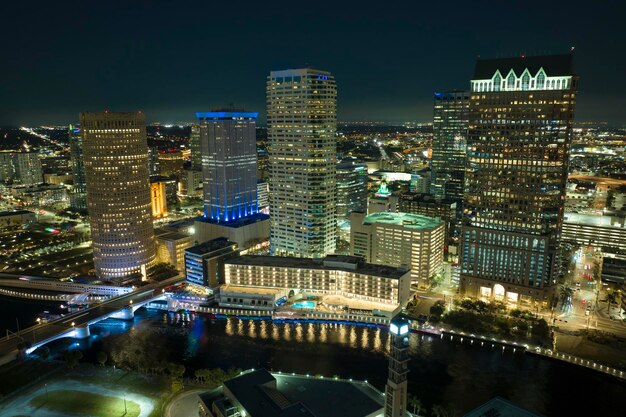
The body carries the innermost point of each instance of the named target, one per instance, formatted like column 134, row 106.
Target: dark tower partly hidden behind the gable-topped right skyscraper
column 449, row 144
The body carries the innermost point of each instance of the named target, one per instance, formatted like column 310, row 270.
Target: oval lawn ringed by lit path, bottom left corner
column 82, row 403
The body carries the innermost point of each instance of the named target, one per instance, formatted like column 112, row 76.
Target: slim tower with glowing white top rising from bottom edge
column 395, row 390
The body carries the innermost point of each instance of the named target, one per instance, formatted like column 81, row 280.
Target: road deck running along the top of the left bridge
column 84, row 317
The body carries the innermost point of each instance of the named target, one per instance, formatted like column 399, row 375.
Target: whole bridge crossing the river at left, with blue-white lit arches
column 76, row 325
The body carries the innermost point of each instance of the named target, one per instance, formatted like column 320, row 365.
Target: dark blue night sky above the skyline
column 172, row 58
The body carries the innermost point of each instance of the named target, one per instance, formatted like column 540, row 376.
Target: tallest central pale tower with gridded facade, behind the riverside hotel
column 302, row 145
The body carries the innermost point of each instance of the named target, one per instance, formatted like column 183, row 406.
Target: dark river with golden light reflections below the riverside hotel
column 441, row 372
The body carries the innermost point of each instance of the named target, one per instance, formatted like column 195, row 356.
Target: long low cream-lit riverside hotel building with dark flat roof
column 346, row 276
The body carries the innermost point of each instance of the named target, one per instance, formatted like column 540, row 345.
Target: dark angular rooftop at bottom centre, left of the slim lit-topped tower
column 263, row 394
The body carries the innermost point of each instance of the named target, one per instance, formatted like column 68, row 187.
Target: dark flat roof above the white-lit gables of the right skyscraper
column 553, row 65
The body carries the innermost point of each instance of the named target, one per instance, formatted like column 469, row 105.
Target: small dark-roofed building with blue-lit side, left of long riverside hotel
column 204, row 263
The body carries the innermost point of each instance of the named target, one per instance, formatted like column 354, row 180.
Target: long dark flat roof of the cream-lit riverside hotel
column 330, row 262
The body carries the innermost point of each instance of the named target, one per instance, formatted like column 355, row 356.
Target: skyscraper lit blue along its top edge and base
column 228, row 147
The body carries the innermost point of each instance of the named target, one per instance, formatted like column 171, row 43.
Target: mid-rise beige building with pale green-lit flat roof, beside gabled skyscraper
column 397, row 239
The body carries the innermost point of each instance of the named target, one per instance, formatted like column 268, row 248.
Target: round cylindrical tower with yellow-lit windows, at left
column 118, row 192
